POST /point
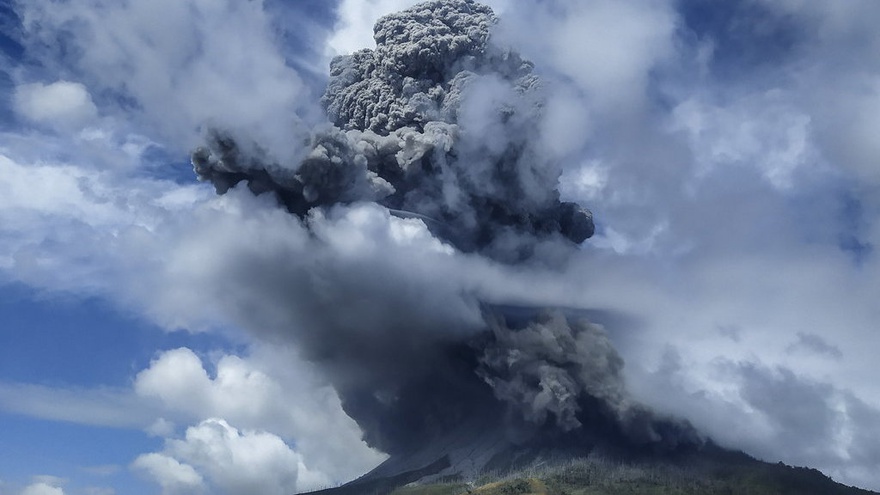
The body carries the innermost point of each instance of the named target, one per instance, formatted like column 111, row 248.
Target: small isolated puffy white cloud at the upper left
column 62, row 103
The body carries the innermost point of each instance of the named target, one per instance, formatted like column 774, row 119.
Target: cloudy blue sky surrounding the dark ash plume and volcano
column 728, row 151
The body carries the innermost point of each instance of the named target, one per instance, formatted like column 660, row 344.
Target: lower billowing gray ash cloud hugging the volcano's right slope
column 547, row 368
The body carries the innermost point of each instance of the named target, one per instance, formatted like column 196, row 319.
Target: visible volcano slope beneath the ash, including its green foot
column 709, row 471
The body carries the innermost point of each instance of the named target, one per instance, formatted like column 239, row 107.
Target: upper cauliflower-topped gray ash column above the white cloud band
column 401, row 136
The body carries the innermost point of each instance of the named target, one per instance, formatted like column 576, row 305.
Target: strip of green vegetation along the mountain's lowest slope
column 598, row 477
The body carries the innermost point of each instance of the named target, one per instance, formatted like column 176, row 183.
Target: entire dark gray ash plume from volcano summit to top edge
column 438, row 125
